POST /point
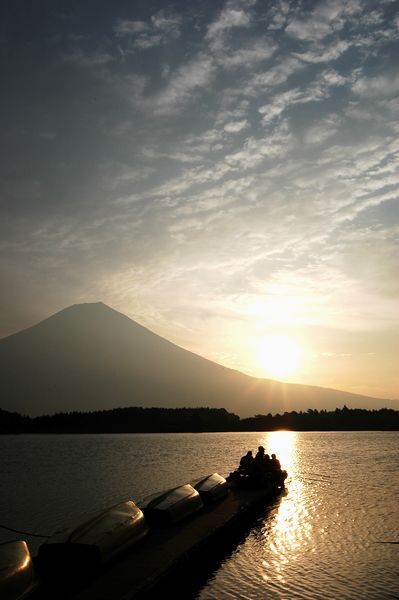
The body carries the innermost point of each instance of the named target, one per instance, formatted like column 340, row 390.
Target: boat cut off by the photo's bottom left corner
column 18, row 578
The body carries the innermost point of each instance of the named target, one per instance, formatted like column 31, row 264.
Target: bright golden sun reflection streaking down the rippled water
column 289, row 534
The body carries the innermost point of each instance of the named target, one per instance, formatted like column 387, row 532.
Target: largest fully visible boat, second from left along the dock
column 83, row 548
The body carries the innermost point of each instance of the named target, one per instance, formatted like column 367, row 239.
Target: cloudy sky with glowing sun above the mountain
column 224, row 173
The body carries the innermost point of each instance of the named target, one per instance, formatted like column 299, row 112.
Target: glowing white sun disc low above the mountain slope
column 279, row 355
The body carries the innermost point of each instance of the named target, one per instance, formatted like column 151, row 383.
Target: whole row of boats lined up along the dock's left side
column 79, row 551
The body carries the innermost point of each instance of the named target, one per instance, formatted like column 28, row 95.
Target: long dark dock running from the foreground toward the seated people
column 171, row 553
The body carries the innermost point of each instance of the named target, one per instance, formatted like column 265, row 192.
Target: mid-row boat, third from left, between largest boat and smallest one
column 173, row 505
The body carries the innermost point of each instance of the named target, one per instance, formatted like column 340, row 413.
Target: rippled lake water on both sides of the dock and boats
column 327, row 538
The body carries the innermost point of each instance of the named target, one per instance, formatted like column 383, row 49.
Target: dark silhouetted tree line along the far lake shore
column 173, row 420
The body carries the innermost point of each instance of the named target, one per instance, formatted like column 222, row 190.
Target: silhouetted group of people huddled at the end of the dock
column 261, row 468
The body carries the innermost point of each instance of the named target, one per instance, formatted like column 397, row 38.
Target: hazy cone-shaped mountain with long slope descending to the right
column 91, row 357
